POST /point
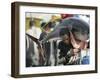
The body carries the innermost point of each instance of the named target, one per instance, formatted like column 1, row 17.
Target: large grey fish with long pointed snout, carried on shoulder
column 78, row 27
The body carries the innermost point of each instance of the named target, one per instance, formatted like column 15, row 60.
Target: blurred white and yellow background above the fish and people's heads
column 38, row 18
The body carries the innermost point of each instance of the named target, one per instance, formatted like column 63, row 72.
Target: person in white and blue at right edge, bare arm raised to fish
column 83, row 46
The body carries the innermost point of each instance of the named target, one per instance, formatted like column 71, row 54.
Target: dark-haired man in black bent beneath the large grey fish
column 64, row 46
